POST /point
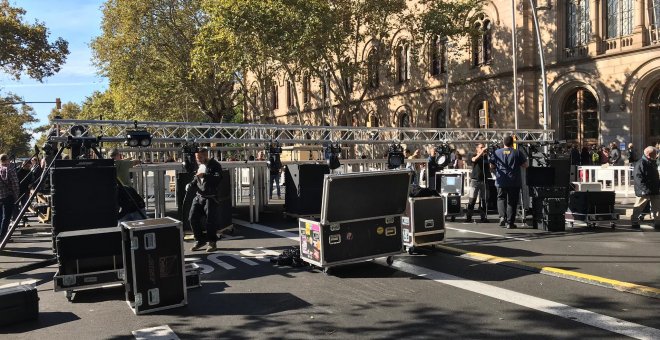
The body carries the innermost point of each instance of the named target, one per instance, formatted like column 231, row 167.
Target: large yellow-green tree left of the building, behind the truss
column 145, row 51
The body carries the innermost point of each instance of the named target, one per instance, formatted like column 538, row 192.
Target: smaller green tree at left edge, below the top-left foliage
column 14, row 136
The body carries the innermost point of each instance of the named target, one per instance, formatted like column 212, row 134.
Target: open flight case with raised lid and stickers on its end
column 360, row 219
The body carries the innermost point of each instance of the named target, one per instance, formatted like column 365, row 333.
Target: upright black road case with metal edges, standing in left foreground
column 154, row 261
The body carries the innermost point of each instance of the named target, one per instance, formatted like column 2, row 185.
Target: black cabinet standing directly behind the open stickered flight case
column 304, row 187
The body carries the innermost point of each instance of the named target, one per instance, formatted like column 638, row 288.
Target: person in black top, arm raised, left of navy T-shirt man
column 478, row 183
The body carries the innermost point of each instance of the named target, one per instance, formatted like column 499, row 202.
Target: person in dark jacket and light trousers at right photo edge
column 647, row 187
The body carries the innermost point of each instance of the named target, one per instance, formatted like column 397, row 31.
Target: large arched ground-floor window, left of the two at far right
column 580, row 122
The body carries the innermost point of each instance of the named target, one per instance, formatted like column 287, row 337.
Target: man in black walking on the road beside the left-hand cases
column 206, row 184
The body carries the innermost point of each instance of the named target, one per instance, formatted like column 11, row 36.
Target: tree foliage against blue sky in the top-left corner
column 25, row 47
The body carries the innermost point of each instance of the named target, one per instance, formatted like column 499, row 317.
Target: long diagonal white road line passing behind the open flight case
column 554, row 308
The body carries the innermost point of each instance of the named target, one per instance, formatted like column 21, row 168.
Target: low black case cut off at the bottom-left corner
column 18, row 303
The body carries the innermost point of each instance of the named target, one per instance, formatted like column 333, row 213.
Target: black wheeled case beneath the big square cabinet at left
column 87, row 259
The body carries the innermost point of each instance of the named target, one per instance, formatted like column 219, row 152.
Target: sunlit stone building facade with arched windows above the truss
column 602, row 59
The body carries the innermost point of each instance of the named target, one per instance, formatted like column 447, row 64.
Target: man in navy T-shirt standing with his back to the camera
column 507, row 162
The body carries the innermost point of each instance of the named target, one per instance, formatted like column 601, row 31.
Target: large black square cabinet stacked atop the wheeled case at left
column 84, row 195
